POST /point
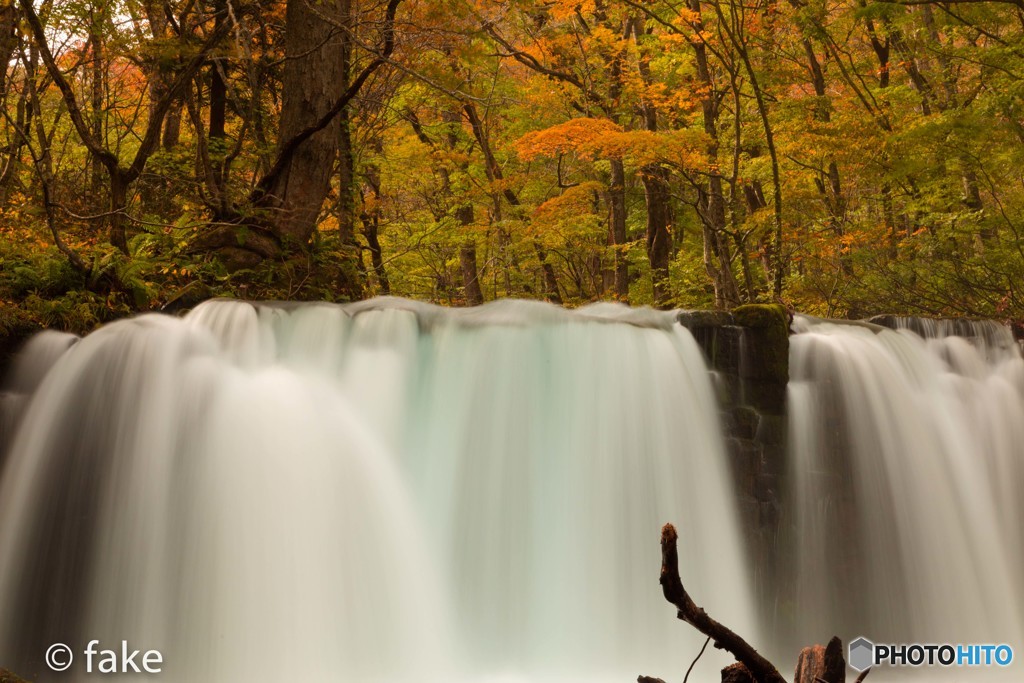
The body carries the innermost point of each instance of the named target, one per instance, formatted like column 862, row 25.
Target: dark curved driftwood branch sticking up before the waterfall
column 672, row 586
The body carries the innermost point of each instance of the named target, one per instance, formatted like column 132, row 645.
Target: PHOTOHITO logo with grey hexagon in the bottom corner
column 863, row 654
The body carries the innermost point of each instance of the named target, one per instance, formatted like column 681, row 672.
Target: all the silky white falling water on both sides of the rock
column 396, row 492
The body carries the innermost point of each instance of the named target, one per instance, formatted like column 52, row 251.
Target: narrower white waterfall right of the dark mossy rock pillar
column 907, row 468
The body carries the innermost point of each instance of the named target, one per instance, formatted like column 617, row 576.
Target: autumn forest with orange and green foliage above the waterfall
column 842, row 157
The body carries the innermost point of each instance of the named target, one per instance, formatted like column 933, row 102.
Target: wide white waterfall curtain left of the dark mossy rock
column 385, row 491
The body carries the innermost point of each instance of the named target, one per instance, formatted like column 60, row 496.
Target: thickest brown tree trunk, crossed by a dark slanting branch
column 314, row 81
